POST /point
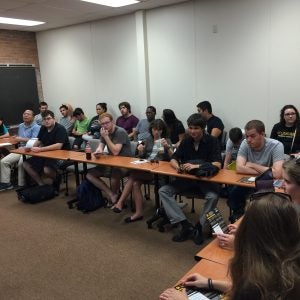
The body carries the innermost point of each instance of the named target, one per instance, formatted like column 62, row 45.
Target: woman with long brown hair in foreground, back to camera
column 266, row 262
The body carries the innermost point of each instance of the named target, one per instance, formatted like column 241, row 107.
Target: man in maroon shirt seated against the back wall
column 127, row 120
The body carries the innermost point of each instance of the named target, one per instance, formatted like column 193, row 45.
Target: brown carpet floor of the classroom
column 51, row 252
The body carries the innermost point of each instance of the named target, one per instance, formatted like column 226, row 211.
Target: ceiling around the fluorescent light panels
column 60, row 13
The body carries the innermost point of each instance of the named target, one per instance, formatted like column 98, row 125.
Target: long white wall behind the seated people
column 241, row 55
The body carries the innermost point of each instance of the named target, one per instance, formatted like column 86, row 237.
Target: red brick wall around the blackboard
column 19, row 47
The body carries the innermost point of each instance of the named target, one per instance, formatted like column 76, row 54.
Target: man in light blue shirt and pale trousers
column 27, row 130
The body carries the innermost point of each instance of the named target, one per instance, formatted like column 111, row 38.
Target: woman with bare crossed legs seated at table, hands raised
column 156, row 147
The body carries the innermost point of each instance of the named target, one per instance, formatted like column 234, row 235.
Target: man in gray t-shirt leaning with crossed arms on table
column 256, row 155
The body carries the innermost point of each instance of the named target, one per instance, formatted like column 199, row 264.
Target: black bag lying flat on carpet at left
column 35, row 194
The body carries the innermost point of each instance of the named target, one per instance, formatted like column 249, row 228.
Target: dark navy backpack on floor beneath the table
column 89, row 197
